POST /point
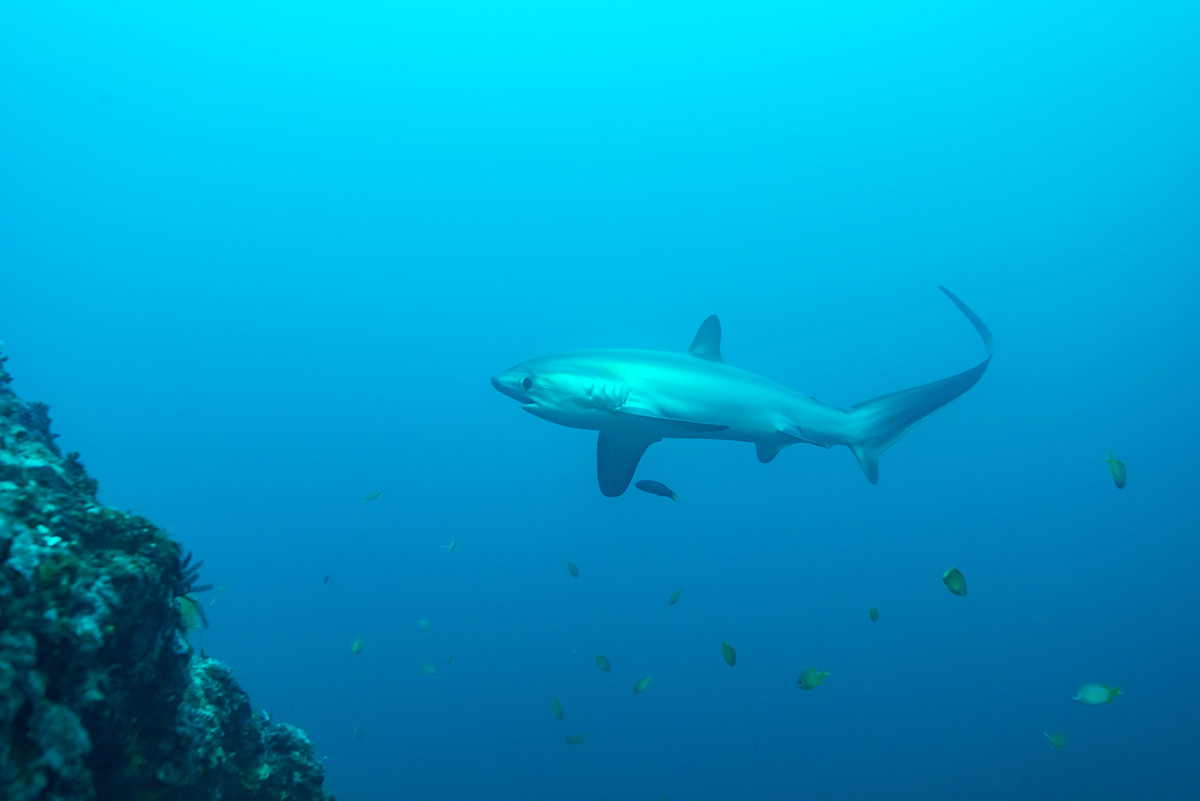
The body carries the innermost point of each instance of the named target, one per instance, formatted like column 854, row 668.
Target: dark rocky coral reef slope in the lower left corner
column 101, row 695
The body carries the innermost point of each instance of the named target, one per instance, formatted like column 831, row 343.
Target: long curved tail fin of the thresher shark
column 878, row 424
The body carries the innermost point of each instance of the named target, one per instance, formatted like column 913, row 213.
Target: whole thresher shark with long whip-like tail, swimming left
column 635, row 399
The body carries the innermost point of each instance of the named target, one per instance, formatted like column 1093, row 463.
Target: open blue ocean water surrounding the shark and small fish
column 262, row 260
